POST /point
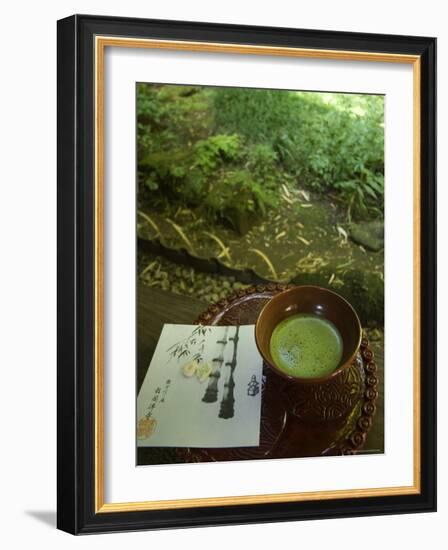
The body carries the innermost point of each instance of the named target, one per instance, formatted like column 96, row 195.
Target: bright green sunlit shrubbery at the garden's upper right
column 331, row 142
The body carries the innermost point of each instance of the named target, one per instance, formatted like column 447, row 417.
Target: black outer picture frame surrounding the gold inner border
column 76, row 475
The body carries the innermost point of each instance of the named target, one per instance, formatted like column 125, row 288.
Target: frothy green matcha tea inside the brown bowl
column 306, row 345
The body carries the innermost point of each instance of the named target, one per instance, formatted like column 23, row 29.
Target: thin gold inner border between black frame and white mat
column 100, row 44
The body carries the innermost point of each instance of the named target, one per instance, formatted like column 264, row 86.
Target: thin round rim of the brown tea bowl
column 309, row 380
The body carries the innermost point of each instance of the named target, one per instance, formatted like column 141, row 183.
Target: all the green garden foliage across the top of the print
column 226, row 151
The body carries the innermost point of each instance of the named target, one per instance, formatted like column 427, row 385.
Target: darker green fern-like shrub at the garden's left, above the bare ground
column 208, row 175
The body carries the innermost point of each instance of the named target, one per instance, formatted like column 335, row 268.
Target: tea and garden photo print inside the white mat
column 260, row 273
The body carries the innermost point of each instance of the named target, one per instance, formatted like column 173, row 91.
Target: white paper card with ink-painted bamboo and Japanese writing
column 202, row 389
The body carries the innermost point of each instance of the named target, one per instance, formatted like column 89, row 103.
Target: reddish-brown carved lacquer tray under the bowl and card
column 332, row 418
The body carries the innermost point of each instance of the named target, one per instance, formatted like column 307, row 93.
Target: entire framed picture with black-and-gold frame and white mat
column 246, row 274
